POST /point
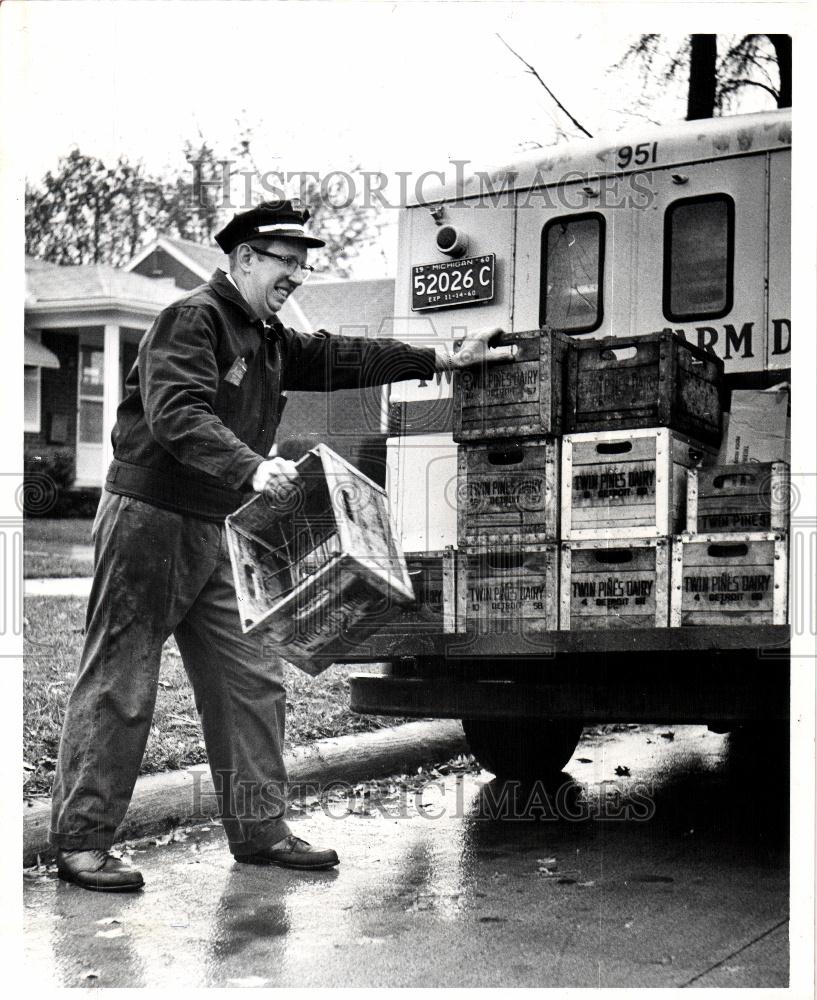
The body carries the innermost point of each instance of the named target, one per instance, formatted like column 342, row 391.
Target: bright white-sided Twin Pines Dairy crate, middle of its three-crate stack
column 626, row 484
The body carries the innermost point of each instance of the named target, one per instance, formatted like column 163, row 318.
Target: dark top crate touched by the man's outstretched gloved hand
column 520, row 398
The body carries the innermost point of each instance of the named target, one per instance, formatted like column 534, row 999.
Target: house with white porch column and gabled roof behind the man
column 83, row 324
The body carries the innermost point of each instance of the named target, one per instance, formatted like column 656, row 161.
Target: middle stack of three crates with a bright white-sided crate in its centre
column 641, row 414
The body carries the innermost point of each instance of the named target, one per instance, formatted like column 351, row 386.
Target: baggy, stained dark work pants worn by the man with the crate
column 158, row 573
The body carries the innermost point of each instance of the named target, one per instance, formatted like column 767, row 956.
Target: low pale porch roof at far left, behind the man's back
column 87, row 285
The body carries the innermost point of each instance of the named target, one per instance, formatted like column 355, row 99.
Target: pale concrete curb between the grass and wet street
column 173, row 797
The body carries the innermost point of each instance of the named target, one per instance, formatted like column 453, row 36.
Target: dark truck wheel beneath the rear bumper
column 522, row 749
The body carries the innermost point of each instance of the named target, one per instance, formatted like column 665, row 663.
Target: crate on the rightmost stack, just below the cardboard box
column 748, row 497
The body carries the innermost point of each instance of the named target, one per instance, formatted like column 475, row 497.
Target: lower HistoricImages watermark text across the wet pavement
column 433, row 800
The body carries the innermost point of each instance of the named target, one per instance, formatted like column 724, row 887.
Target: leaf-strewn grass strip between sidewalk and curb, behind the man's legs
column 53, row 637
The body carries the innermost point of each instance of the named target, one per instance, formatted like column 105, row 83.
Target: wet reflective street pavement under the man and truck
column 664, row 863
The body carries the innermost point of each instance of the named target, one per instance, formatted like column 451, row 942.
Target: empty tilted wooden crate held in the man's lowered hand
column 318, row 567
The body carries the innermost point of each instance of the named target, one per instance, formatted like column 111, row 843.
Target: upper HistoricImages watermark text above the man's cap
column 222, row 184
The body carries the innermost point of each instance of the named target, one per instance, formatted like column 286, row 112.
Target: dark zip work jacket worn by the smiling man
column 204, row 398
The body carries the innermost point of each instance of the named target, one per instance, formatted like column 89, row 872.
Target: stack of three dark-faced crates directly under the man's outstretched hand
column 508, row 420
